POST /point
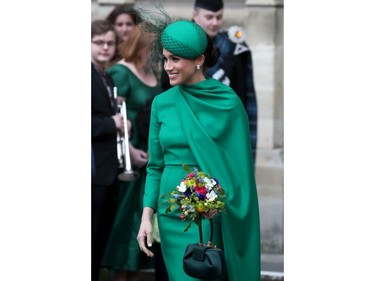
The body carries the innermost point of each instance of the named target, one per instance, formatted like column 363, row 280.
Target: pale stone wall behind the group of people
column 263, row 22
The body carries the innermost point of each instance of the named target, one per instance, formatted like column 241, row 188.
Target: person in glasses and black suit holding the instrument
column 105, row 124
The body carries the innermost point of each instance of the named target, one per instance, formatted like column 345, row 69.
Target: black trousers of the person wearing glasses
column 103, row 210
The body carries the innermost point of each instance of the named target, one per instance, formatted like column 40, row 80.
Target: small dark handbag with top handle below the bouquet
column 204, row 261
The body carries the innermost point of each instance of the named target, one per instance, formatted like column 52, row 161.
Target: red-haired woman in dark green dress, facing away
column 136, row 83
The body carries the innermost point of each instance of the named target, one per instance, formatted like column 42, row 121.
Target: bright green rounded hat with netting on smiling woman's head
column 185, row 39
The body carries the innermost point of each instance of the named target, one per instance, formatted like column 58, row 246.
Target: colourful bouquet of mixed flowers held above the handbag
column 196, row 194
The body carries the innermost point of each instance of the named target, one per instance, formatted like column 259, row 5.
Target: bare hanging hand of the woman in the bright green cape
column 145, row 232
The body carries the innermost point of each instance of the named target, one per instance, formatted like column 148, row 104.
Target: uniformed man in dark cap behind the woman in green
column 234, row 67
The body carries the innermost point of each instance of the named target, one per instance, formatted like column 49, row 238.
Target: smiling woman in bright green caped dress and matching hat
column 200, row 122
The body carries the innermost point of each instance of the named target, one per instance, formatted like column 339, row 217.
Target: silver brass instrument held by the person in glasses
column 123, row 152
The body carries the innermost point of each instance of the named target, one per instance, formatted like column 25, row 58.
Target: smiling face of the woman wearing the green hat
column 180, row 70
